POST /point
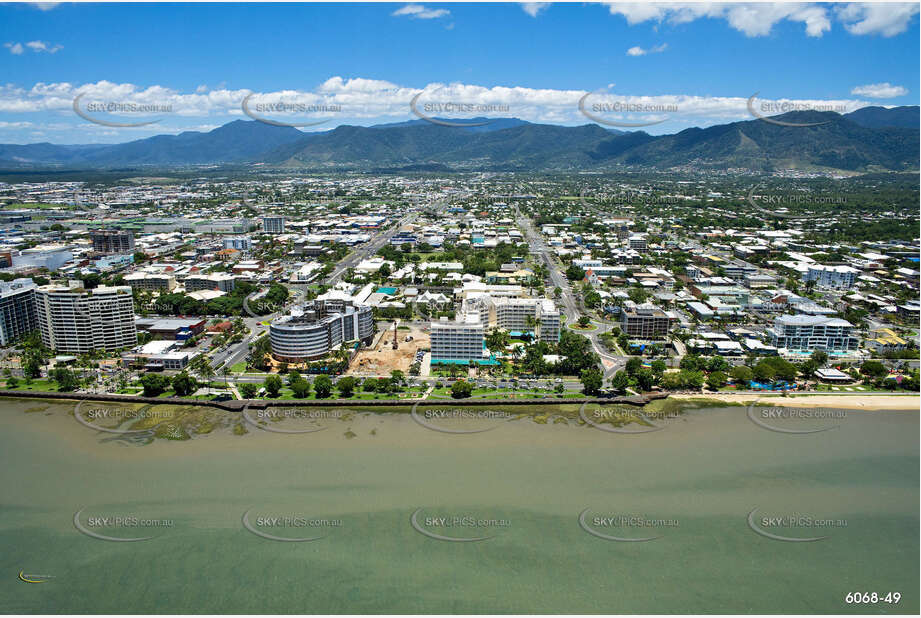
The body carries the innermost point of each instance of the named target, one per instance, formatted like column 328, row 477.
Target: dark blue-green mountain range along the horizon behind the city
column 869, row 139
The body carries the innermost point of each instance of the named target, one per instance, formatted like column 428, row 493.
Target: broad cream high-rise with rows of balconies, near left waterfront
column 80, row 321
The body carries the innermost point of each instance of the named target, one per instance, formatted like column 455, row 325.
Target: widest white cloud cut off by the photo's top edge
column 752, row 19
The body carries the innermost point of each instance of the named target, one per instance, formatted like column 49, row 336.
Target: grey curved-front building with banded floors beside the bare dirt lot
column 312, row 330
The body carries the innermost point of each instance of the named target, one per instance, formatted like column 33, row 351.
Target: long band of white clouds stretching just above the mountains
column 363, row 101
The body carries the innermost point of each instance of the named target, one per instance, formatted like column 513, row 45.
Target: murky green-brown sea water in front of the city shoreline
column 522, row 485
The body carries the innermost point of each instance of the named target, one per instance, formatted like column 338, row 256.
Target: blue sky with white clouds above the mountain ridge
column 675, row 65
